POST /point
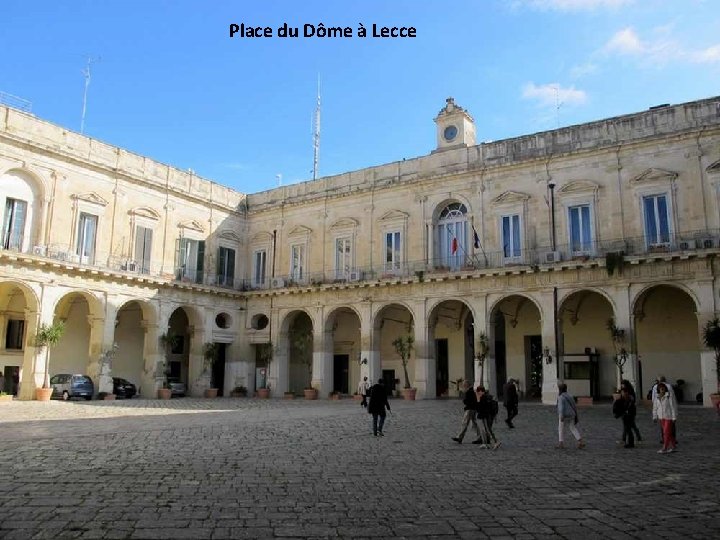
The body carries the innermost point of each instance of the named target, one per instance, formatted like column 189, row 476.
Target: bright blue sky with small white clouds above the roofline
column 171, row 84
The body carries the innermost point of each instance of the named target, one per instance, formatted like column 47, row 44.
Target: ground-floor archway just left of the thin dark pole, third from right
column 518, row 344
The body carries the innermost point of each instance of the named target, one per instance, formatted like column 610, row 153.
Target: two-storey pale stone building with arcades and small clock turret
column 501, row 259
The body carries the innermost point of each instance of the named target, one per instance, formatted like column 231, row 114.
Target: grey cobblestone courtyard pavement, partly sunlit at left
column 246, row 468
